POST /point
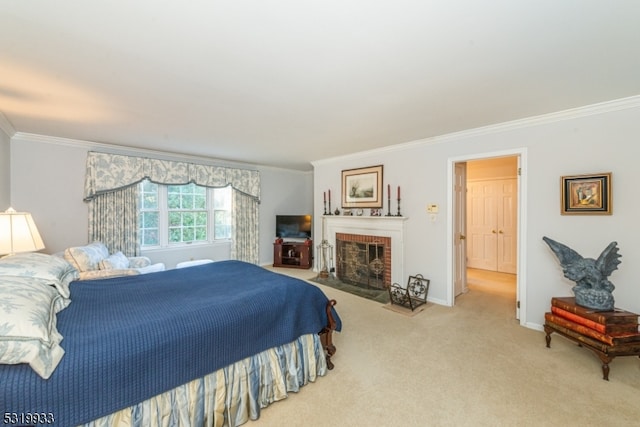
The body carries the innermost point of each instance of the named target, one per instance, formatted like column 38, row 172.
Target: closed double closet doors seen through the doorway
column 492, row 225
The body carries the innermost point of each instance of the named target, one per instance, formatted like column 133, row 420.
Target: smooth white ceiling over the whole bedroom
column 286, row 82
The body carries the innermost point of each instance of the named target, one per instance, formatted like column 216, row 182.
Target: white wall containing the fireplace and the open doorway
column 591, row 140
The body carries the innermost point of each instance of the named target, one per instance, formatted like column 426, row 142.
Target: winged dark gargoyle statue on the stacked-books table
column 593, row 289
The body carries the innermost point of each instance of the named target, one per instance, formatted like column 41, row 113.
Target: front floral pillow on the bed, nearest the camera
column 28, row 331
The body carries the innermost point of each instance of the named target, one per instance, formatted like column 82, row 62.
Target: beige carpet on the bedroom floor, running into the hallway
column 470, row 365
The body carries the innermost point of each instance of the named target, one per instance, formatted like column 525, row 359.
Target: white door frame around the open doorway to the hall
column 521, row 274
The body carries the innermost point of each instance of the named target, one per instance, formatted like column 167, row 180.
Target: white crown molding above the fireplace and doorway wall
column 570, row 114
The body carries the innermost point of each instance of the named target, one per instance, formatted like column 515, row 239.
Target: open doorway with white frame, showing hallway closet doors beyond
column 499, row 186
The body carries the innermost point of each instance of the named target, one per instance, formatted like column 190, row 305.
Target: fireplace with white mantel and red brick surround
column 374, row 232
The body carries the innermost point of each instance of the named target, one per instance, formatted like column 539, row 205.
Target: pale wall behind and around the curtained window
column 47, row 179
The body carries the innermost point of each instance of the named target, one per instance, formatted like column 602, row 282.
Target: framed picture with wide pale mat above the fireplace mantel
column 362, row 188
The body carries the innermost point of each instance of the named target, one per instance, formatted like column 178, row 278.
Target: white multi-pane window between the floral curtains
column 180, row 214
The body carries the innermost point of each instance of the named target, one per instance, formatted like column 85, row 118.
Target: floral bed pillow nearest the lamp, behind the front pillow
column 52, row 270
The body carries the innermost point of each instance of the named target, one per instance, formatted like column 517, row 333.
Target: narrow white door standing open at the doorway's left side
column 459, row 235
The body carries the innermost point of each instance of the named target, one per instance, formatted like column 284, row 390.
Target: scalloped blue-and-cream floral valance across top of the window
column 108, row 172
